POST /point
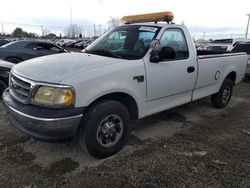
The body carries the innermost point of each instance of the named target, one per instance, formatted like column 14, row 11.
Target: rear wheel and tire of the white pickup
column 222, row 98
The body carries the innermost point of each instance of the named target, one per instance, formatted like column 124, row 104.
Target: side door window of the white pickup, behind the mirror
column 173, row 45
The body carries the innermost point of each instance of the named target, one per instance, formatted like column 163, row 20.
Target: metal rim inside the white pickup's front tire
column 110, row 130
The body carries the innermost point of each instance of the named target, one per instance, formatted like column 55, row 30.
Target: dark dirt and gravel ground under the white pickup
column 193, row 145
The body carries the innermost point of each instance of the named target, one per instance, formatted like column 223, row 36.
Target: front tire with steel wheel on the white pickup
column 105, row 129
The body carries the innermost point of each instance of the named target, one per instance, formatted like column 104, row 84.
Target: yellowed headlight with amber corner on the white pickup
column 54, row 96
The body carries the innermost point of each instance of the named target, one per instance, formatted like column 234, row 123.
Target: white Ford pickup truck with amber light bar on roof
column 131, row 72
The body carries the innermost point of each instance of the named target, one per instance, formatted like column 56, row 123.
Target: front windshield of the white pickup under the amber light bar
column 125, row 42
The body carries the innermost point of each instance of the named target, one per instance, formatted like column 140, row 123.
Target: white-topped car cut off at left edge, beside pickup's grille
column 5, row 68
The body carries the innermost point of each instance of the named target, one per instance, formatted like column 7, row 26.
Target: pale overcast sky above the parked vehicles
column 215, row 17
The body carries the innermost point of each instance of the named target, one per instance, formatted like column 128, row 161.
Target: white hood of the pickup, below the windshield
column 55, row 68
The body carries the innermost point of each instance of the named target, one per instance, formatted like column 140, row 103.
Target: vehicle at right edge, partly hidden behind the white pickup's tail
column 244, row 47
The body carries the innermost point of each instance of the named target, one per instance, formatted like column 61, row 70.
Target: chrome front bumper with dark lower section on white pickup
column 46, row 129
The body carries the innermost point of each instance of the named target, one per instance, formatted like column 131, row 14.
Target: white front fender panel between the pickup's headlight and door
column 118, row 77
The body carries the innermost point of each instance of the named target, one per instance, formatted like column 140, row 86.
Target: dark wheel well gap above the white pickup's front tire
column 123, row 98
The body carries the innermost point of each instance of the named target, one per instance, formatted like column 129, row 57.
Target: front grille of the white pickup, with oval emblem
column 20, row 89
